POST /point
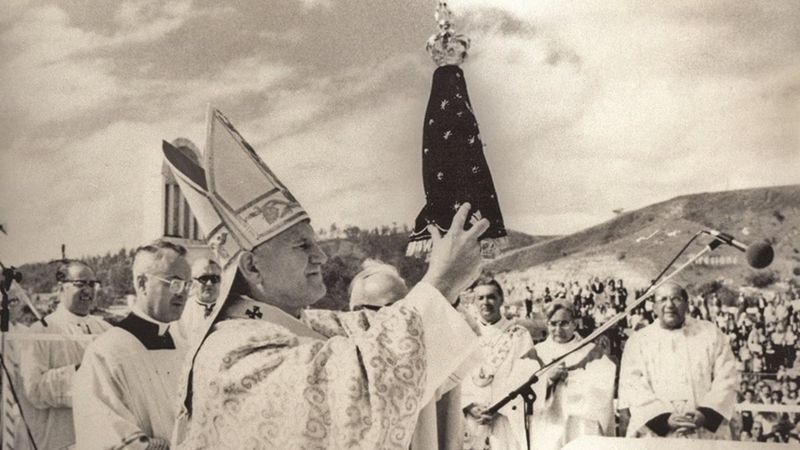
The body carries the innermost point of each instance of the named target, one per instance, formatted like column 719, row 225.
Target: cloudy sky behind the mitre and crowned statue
column 584, row 106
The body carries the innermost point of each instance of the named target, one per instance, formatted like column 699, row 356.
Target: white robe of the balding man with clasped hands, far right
column 665, row 371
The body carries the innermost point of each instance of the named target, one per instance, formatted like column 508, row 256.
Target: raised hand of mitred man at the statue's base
column 455, row 258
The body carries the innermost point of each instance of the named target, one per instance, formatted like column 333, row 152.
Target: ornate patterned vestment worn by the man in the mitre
column 277, row 383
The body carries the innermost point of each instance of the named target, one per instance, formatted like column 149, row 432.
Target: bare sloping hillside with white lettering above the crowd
column 638, row 243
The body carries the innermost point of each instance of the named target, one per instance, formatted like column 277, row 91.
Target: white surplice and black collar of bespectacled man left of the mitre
column 126, row 390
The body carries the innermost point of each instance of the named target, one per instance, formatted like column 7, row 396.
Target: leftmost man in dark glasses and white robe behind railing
column 48, row 367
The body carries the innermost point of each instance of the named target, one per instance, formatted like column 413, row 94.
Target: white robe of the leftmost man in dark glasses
column 47, row 369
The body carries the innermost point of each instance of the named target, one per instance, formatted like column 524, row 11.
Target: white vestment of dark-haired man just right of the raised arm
column 503, row 367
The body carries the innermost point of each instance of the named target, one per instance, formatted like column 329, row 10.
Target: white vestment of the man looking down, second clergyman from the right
column 580, row 405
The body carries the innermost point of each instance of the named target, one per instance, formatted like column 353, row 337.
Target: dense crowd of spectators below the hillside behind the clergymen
column 762, row 328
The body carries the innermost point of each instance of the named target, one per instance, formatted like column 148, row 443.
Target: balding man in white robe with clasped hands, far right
column 678, row 375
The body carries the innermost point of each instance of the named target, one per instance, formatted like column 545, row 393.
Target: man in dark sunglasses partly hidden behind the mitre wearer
column 206, row 276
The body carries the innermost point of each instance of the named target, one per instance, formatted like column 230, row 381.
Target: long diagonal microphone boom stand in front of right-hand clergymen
column 526, row 389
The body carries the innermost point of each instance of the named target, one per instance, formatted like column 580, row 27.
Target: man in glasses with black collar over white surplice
column 126, row 387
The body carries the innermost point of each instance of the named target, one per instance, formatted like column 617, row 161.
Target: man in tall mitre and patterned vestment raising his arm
column 261, row 378
